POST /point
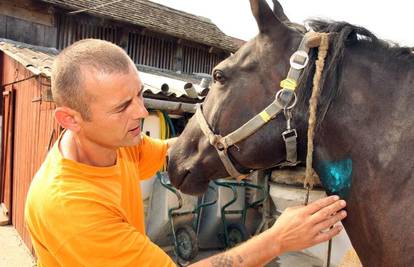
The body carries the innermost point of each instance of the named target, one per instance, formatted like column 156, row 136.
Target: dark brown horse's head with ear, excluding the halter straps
column 244, row 84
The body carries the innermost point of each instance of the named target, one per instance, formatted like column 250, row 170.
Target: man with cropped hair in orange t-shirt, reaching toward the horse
column 84, row 205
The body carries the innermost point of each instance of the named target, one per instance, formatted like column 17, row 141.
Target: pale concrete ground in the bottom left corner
column 13, row 252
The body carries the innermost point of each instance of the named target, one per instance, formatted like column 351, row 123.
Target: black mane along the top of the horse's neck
column 342, row 35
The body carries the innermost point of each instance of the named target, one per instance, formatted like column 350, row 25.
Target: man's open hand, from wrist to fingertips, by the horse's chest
column 304, row 226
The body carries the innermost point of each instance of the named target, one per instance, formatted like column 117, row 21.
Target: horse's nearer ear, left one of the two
column 265, row 18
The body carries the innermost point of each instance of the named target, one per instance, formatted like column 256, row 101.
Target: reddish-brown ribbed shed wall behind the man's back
column 32, row 130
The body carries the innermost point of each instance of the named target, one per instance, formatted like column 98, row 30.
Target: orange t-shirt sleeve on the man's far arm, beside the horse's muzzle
column 152, row 155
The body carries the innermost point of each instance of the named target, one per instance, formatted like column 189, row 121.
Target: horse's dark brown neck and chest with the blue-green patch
column 368, row 135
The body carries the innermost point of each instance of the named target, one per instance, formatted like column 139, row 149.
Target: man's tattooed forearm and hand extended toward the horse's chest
column 297, row 228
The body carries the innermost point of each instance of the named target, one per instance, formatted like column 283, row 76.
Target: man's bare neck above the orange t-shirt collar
column 82, row 150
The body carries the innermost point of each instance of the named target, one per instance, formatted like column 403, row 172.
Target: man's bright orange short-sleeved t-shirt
column 80, row 215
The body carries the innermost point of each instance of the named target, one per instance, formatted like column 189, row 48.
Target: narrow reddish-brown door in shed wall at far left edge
column 7, row 156
